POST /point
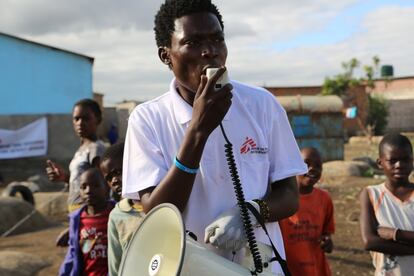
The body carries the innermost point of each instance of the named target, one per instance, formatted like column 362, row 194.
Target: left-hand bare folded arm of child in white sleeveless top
column 372, row 241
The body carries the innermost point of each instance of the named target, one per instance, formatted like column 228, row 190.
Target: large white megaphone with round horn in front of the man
column 161, row 247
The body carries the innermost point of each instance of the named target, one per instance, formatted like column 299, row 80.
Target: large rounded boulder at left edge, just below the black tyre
column 13, row 210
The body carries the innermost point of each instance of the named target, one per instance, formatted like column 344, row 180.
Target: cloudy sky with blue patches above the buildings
column 270, row 42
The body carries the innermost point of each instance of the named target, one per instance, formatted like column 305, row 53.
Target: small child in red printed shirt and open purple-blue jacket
column 87, row 252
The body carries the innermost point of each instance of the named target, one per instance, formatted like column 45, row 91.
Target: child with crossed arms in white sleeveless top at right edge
column 387, row 210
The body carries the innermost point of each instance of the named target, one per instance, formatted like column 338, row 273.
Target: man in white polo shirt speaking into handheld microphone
column 174, row 149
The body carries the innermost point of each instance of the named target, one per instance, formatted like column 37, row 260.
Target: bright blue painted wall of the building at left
column 36, row 79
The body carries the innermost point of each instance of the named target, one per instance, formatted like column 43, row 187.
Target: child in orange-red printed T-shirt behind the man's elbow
column 307, row 234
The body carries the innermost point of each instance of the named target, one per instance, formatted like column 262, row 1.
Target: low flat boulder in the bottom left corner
column 14, row 263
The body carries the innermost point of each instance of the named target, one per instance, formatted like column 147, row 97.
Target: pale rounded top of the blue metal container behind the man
column 312, row 104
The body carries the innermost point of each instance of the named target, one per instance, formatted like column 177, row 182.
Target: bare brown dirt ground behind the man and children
column 348, row 257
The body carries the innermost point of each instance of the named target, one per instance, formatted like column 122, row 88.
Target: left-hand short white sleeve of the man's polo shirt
column 143, row 164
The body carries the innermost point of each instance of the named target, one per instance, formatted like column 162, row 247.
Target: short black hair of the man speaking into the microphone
column 173, row 9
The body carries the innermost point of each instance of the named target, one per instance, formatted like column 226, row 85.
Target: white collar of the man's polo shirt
column 182, row 110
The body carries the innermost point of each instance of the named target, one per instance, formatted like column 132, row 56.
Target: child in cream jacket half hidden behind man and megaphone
column 126, row 216
